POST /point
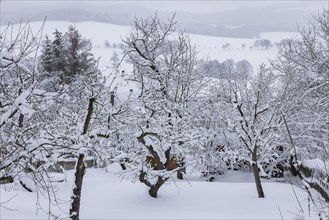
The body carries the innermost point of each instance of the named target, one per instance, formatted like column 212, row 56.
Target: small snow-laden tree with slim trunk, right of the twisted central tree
column 250, row 110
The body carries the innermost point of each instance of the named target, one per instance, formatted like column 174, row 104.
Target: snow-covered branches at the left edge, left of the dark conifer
column 23, row 151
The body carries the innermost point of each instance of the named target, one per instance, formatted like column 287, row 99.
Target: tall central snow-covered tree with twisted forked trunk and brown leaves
column 167, row 74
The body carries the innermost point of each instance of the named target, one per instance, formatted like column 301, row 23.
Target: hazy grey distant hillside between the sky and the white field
column 248, row 22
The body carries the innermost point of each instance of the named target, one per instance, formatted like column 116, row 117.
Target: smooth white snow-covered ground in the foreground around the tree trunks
column 106, row 196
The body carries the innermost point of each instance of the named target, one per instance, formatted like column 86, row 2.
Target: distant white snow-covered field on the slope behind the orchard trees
column 209, row 47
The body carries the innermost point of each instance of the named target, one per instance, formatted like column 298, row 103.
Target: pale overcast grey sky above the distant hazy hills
column 187, row 6
